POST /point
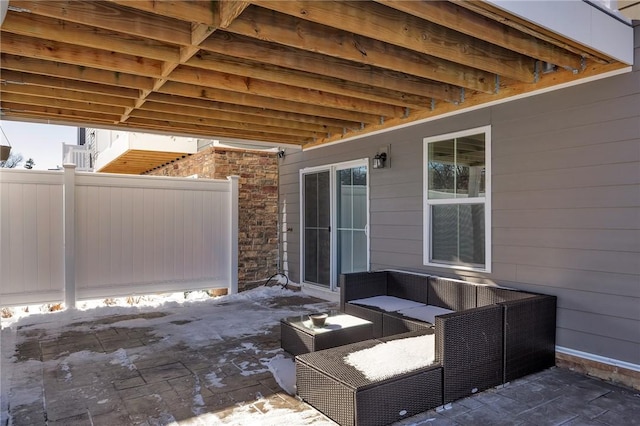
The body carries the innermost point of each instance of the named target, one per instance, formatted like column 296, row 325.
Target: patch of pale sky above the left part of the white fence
column 42, row 142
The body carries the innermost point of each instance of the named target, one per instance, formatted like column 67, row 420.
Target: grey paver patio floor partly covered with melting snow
column 158, row 367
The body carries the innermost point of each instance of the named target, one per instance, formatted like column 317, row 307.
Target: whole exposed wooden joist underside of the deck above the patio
column 303, row 72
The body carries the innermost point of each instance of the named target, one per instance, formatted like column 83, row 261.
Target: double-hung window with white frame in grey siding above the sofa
column 457, row 200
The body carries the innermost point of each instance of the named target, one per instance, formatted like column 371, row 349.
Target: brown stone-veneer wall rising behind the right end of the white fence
column 258, row 203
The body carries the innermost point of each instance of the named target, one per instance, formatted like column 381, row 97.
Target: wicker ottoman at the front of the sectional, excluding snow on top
column 345, row 395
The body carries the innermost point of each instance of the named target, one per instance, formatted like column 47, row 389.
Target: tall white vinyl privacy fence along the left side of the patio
column 68, row 235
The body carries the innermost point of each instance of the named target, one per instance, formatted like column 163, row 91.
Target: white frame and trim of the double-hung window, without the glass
column 487, row 200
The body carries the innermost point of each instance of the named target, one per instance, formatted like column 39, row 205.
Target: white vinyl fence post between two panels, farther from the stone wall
column 69, row 234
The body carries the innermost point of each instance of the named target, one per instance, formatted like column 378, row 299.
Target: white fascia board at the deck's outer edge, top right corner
column 579, row 21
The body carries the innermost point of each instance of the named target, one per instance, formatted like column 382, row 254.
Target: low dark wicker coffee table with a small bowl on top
column 299, row 336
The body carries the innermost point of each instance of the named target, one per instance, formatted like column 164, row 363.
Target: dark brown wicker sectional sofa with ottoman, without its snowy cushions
column 491, row 336
